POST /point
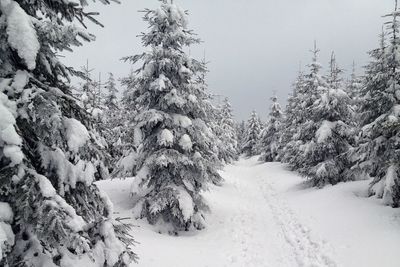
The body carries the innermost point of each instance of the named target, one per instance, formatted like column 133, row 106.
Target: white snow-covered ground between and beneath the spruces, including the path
column 263, row 216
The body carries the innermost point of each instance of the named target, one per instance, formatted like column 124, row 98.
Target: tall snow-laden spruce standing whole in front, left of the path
column 173, row 164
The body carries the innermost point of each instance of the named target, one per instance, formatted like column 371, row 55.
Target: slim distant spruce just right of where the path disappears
column 269, row 140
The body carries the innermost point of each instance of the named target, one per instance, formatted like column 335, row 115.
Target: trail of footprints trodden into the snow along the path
column 308, row 251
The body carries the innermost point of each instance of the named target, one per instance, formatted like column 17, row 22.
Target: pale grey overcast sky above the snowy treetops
column 254, row 46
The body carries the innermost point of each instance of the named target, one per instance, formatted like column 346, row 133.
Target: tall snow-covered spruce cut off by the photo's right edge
column 379, row 146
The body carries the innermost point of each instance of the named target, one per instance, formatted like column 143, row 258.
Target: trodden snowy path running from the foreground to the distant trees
column 282, row 231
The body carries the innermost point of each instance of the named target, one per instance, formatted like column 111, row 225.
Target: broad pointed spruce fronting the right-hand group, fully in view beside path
column 325, row 158
